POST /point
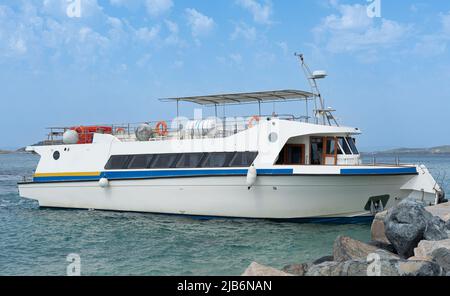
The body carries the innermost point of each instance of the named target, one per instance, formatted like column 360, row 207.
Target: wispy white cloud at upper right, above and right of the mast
column 353, row 31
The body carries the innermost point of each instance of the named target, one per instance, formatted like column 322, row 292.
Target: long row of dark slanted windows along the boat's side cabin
column 181, row 160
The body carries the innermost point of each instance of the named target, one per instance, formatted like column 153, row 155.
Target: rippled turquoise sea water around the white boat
column 36, row 241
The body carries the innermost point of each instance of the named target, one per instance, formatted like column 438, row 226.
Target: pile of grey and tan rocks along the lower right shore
column 408, row 240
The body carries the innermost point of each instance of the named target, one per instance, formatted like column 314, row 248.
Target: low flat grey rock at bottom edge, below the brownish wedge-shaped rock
column 348, row 268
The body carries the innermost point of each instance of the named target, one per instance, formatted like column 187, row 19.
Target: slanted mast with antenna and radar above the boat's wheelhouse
column 312, row 78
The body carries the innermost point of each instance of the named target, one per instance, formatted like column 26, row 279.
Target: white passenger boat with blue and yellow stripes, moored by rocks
column 274, row 167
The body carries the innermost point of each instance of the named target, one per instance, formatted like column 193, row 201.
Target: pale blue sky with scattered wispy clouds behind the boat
column 74, row 62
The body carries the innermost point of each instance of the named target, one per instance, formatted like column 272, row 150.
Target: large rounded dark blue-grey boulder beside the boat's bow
column 405, row 225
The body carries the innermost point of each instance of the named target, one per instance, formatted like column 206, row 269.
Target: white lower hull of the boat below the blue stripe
column 271, row 197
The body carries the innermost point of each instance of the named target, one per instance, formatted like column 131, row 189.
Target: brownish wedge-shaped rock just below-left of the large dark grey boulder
column 346, row 248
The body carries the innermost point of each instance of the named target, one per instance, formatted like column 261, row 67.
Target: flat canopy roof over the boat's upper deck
column 245, row 98
